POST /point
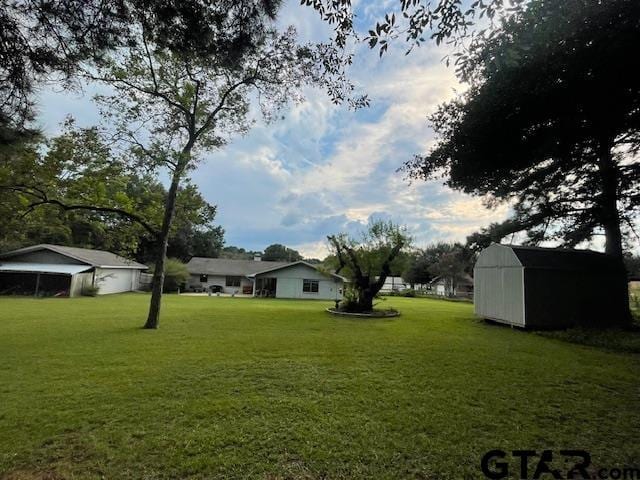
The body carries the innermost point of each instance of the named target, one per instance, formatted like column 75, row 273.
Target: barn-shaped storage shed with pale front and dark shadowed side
column 546, row 288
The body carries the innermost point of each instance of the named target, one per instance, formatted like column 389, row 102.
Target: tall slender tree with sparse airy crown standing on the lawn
column 170, row 107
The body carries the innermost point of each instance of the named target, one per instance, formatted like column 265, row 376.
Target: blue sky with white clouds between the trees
column 326, row 169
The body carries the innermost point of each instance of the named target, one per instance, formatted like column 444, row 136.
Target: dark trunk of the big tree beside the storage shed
column 610, row 219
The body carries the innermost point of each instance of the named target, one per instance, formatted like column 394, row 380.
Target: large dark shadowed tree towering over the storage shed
column 550, row 122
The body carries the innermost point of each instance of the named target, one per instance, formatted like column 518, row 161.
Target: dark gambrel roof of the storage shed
column 562, row 258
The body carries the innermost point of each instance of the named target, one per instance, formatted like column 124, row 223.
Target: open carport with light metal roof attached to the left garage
column 43, row 279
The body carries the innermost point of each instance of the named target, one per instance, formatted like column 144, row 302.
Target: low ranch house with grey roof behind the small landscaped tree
column 264, row 279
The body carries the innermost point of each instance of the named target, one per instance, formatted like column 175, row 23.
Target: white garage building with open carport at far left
column 65, row 271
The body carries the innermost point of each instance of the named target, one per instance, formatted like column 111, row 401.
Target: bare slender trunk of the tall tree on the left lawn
column 163, row 241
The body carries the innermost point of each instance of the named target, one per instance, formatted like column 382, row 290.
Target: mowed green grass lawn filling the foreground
column 248, row 388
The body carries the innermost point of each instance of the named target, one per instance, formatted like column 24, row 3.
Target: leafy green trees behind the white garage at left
column 71, row 190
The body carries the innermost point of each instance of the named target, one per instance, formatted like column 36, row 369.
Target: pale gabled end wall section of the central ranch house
column 290, row 282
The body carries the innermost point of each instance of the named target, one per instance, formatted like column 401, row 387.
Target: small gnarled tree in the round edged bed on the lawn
column 367, row 261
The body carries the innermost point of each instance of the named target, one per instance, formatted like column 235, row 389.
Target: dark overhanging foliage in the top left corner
column 43, row 39
